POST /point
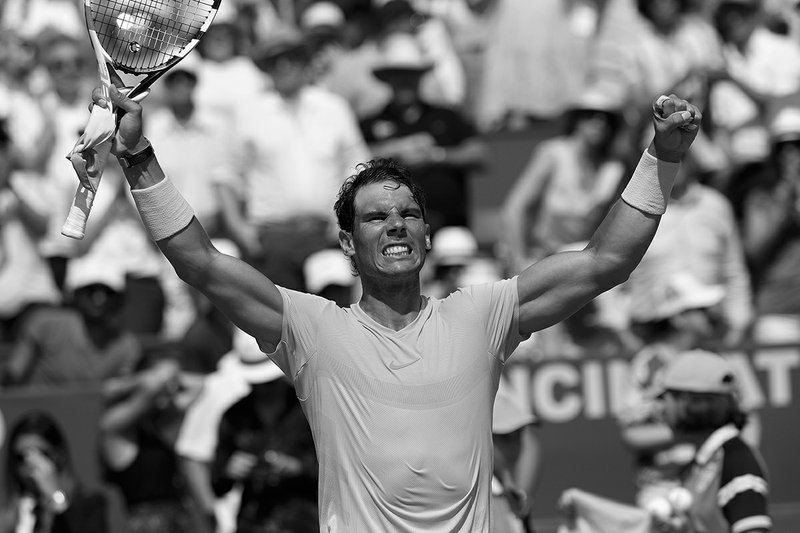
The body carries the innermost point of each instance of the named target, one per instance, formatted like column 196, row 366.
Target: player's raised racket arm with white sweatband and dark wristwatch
column 249, row 299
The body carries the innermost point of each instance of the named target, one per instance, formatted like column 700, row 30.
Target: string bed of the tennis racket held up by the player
column 141, row 35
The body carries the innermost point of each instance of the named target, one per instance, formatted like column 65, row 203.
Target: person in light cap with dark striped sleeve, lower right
column 726, row 477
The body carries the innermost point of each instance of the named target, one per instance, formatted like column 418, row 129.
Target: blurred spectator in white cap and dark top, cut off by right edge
column 771, row 234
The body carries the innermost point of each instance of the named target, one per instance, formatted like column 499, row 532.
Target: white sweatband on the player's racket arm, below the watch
column 163, row 209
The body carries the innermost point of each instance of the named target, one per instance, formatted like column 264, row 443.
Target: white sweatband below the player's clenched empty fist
column 651, row 184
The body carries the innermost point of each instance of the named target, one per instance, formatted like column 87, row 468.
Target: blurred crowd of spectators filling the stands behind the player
column 258, row 128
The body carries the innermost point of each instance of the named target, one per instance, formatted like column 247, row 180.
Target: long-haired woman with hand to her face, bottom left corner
column 42, row 491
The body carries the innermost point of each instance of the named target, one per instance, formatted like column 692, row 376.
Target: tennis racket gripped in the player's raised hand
column 143, row 39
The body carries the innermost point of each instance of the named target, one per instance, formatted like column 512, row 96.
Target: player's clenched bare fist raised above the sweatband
column 676, row 123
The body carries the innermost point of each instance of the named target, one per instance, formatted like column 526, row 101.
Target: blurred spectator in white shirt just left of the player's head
column 292, row 171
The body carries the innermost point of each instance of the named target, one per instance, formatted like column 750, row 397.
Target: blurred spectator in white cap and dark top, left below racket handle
column 84, row 343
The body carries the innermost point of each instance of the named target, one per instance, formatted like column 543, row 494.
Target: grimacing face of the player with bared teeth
column 390, row 237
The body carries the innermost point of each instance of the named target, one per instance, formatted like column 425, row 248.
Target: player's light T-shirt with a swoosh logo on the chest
column 402, row 419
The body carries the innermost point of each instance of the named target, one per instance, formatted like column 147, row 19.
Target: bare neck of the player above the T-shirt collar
column 394, row 306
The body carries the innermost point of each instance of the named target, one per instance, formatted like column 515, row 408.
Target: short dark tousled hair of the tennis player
column 374, row 171
